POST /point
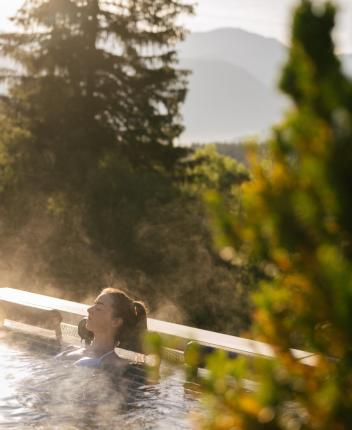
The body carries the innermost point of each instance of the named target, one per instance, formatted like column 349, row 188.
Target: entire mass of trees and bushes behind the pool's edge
column 92, row 188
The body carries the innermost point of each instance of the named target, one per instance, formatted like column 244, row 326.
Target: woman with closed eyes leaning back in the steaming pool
column 114, row 320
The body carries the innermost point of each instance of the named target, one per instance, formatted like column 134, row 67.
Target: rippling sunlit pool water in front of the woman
column 40, row 393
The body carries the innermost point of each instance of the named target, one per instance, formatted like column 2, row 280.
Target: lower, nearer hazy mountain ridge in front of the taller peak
column 225, row 102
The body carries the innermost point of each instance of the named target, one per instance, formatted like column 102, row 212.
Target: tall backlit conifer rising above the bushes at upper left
column 95, row 78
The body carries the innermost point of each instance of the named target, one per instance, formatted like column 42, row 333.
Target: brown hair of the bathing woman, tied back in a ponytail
column 134, row 320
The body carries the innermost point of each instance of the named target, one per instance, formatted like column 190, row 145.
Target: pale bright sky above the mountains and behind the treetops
column 268, row 17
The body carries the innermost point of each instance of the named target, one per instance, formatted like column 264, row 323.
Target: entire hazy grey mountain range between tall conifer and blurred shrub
column 232, row 89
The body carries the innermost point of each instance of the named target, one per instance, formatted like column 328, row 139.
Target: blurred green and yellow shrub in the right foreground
column 297, row 220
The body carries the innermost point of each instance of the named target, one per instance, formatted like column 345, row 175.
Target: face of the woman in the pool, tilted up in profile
column 100, row 315
